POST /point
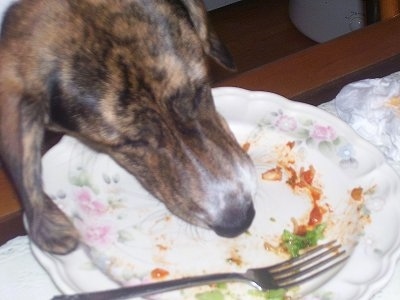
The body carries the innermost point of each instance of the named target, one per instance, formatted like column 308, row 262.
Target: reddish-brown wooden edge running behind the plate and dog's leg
column 313, row 75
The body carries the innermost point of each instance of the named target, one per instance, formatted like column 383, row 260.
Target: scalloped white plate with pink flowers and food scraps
column 128, row 234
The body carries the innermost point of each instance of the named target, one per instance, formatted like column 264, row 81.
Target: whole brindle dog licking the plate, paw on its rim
column 128, row 78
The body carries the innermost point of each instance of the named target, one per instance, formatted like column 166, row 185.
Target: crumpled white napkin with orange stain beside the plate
column 372, row 108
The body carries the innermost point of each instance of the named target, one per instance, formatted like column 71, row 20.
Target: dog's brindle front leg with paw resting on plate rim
column 22, row 118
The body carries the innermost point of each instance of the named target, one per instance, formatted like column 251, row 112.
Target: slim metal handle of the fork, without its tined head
column 154, row 288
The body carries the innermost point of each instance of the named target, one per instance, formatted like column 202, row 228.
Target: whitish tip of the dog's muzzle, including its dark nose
column 227, row 188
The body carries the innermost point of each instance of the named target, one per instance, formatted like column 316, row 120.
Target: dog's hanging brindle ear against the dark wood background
column 211, row 43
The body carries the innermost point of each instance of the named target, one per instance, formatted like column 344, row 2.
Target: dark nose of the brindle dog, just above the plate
column 235, row 221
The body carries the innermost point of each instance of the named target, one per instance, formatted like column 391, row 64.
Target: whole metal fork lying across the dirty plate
column 290, row 273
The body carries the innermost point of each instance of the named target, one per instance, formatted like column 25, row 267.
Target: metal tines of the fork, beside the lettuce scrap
column 313, row 263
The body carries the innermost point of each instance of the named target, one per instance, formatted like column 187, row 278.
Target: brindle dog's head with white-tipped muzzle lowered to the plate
column 130, row 79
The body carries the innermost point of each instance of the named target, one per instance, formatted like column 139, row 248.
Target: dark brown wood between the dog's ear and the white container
column 256, row 32
